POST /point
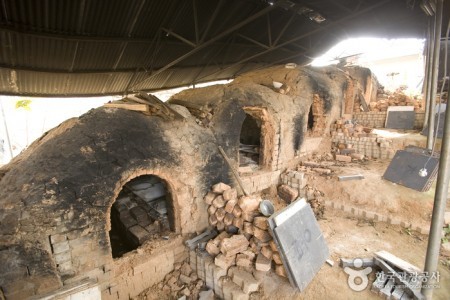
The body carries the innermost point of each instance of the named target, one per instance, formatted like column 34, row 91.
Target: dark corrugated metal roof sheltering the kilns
column 98, row 47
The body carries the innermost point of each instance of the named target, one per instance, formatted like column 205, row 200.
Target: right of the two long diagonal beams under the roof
column 302, row 36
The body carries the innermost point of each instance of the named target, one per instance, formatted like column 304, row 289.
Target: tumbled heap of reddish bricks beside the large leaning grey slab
column 244, row 238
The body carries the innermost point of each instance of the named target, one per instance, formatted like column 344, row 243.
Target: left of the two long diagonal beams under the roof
column 212, row 40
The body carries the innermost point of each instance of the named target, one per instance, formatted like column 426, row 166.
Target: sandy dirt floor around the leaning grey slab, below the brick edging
column 351, row 238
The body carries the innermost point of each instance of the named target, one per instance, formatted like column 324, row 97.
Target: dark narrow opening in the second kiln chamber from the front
column 250, row 142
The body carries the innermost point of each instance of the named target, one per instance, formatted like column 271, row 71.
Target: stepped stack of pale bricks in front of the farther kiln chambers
column 352, row 142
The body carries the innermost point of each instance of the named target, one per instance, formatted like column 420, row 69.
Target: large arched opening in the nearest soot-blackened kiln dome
column 142, row 211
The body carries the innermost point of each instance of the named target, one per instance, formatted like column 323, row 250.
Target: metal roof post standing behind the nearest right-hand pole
column 435, row 72
